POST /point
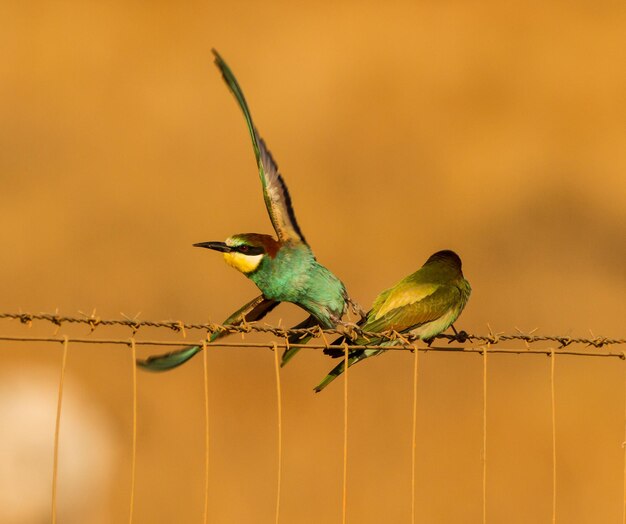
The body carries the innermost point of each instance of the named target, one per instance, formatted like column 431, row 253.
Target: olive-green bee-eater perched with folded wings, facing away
column 423, row 305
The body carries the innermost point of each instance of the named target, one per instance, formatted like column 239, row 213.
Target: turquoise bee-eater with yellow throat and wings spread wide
column 284, row 269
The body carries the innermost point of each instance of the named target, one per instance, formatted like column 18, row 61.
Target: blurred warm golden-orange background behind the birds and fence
column 495, row 130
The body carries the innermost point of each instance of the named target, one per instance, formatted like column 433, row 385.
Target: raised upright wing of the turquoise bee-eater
column 275, row 193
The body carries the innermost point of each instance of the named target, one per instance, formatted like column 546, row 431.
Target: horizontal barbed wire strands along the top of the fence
column 401, row 341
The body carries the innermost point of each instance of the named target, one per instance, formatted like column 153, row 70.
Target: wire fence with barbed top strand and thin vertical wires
column 491, row 343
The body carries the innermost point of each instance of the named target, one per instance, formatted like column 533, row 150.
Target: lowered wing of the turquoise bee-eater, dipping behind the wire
column 256, row 309
